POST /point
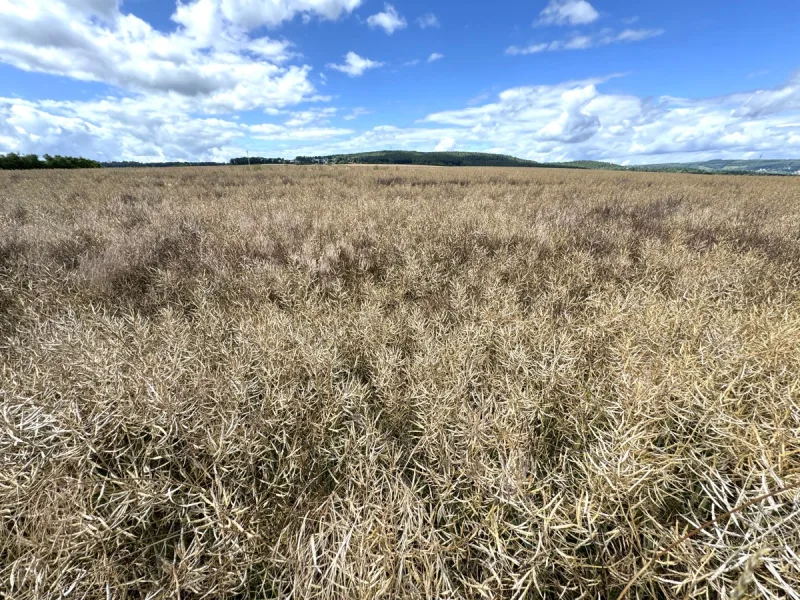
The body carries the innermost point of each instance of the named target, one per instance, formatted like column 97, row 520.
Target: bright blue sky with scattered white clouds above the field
column 629, row 82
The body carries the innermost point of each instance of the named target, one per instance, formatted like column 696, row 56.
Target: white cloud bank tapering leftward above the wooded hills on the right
column 577, row 120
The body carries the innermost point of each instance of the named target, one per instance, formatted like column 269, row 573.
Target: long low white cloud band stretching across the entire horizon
column 567, row 121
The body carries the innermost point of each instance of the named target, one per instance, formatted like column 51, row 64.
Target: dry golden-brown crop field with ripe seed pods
column 391, row 382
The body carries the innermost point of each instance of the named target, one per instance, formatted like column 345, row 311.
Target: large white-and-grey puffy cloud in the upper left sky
column 217, row 64
